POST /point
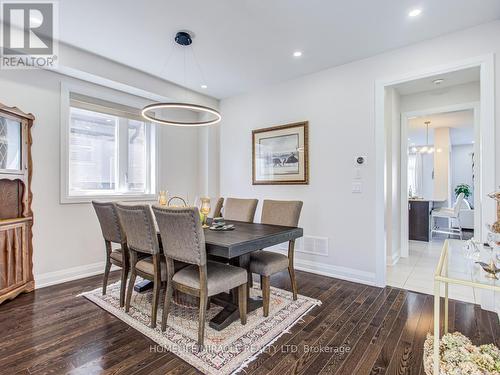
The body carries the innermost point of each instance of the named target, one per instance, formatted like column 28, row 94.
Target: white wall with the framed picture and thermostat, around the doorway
column 339, row 104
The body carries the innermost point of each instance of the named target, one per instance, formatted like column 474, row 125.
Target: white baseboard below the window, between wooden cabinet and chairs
column 69, row 274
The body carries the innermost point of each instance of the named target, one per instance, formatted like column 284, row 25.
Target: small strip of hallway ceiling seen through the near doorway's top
column 459, row 77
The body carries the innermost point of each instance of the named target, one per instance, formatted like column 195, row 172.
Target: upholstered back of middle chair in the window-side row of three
column 138, row 223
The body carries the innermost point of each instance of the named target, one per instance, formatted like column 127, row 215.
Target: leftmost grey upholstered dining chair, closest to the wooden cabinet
column 112, row 232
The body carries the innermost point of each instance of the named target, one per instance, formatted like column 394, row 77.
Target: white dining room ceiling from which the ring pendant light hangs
column 246, row 44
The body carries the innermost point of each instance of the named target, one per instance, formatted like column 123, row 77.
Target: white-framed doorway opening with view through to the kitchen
column 437, row 130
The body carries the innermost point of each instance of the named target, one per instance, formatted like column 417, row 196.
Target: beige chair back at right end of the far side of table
column 286, row 213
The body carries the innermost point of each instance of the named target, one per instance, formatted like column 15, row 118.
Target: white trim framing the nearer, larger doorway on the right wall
column 486, row 147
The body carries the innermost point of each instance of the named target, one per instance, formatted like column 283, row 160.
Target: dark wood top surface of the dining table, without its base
column 247, row 237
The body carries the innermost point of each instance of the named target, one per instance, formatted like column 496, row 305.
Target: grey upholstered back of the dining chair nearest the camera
column 181, row 233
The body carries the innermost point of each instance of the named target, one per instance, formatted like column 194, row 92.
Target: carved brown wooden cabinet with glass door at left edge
column 16, row 217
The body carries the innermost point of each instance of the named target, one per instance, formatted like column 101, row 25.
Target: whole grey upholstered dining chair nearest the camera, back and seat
column 183, row 240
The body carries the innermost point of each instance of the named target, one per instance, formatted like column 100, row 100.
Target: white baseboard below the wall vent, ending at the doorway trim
column 344, row 273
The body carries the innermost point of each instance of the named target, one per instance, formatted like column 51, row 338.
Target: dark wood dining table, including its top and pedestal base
column 235, row 247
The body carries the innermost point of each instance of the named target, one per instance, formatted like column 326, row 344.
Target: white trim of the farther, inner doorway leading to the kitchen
column 405, row 117
